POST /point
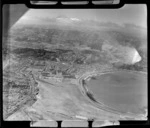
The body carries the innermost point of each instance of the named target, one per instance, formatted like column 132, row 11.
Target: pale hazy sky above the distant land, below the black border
column 130, row 13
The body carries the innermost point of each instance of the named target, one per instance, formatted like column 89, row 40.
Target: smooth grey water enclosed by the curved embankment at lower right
column 122, row 90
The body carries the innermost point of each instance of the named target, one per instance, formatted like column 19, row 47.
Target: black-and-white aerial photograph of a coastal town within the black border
column 76, row 65
